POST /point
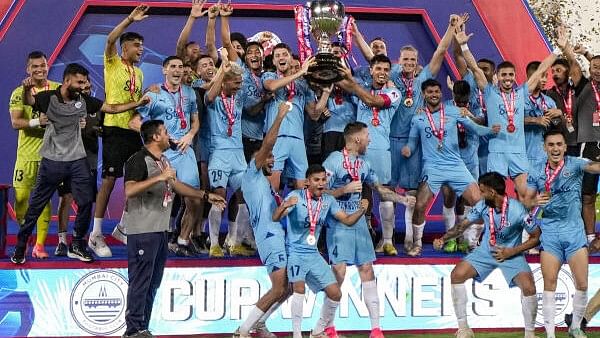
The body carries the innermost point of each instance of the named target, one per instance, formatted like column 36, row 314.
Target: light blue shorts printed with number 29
column 226, row 168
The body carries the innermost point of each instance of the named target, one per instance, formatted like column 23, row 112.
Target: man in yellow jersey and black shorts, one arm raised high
column 123, row 83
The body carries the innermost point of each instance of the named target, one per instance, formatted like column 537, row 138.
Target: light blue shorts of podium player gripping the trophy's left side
column 290, row 152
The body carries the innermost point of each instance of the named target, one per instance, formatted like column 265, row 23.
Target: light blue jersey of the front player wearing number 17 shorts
column 298, row 224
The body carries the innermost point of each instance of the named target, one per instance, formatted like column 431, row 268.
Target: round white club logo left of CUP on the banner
column 98, row 302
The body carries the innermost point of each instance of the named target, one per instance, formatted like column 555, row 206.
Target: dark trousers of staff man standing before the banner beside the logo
column 146, row 258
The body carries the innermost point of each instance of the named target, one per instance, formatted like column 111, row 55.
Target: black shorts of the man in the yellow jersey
column 118, row 145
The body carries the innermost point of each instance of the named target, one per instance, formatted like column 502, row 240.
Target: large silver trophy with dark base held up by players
column 326, row 18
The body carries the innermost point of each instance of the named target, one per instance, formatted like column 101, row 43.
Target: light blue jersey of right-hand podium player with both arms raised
column 497, row 114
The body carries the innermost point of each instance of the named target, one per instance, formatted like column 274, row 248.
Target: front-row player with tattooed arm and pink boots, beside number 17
column 347, row 170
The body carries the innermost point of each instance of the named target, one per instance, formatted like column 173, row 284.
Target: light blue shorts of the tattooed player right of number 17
column 350, row 245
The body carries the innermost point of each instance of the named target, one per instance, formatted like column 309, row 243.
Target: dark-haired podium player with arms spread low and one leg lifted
column 436, row 129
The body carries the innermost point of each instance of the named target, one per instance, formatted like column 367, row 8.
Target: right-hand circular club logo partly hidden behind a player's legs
column 563, row 296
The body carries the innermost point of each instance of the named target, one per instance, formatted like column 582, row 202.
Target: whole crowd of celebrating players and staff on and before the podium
column 251, row 126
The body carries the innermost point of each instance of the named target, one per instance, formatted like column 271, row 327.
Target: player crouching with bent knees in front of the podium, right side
column 504, row 219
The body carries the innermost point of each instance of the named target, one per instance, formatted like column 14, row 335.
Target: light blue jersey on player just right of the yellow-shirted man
column 163, row 106
